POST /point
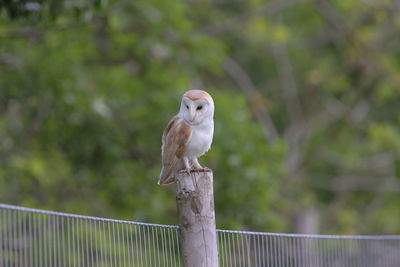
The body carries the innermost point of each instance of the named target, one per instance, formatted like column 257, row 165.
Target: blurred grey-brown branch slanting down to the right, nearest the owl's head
column 253, row 97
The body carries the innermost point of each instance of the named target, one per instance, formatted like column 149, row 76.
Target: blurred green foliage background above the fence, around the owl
column 307, row 122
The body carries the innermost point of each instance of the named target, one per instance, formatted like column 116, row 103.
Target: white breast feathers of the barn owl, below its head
column 201, row 139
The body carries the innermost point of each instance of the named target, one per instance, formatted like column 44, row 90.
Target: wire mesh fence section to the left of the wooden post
column 30, row 237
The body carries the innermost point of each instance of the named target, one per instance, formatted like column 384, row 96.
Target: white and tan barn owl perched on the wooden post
column 187, row 136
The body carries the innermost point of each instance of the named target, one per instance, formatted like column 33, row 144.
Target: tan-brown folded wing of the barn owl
column 175, row 137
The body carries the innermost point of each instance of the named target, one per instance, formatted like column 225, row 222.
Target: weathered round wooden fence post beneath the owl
column 195, row 200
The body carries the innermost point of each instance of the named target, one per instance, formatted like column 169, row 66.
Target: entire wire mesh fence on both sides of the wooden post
column 32, row 237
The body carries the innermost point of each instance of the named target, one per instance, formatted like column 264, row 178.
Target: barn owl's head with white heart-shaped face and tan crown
column 196, row 107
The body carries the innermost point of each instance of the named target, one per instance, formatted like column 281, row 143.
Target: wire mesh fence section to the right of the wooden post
column 238, row 248
